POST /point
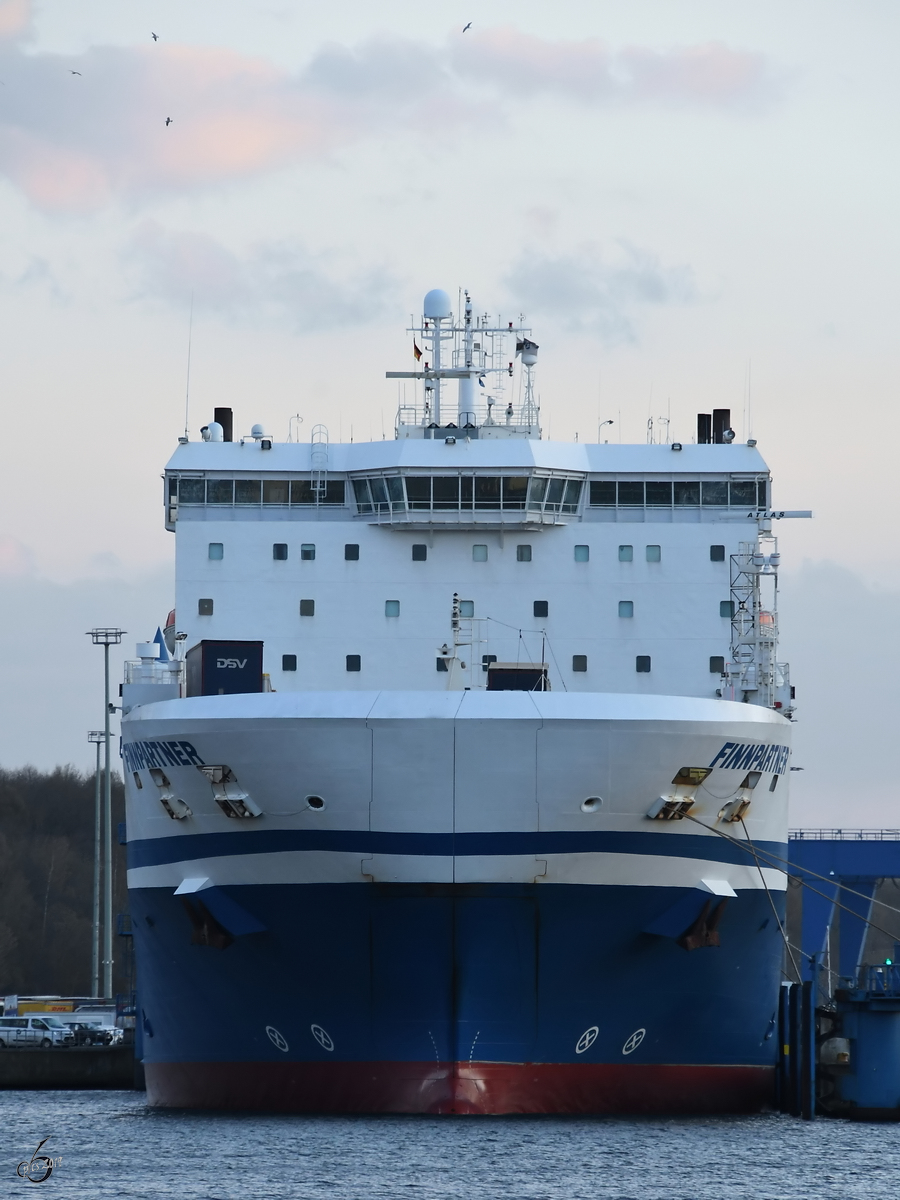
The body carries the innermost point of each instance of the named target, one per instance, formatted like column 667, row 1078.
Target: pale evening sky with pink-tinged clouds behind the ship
column 694, row 205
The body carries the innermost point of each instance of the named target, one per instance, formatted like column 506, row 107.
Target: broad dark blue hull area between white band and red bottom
column 454, row 974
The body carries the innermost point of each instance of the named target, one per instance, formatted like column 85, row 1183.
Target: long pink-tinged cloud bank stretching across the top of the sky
column 75, row 142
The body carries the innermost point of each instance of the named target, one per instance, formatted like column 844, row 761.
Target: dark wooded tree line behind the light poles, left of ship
column 47, row 883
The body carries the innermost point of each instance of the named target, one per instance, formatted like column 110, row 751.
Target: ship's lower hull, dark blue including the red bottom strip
column 451, row 980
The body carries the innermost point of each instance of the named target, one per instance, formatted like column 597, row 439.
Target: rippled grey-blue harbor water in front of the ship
column 112, row 1145
